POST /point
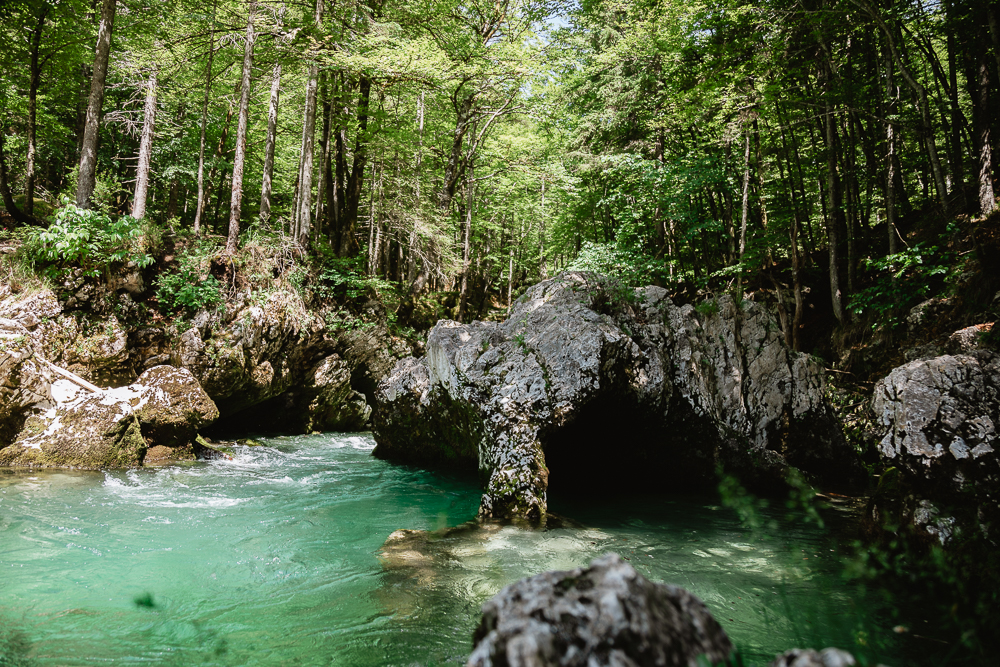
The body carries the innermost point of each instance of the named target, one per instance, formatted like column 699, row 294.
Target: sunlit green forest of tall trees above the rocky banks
column 479, row 146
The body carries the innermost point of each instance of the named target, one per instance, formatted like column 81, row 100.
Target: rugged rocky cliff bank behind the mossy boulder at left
column 264, row 363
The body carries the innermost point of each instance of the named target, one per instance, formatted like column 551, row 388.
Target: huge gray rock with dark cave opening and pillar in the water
column 585, row 375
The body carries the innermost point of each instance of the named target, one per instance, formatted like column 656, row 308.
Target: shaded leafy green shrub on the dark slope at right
column 902, row 280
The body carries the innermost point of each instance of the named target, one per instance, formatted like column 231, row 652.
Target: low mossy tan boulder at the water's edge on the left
column 113, row 428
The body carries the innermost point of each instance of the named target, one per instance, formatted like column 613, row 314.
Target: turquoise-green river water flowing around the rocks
column 275, row 558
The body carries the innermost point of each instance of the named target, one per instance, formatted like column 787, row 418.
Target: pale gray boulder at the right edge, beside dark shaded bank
column 939, row 418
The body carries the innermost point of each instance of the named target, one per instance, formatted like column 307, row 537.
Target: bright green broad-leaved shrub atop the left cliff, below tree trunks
column 89, row 240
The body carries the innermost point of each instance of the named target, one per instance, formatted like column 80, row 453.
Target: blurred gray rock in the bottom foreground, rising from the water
column 605, row 614
